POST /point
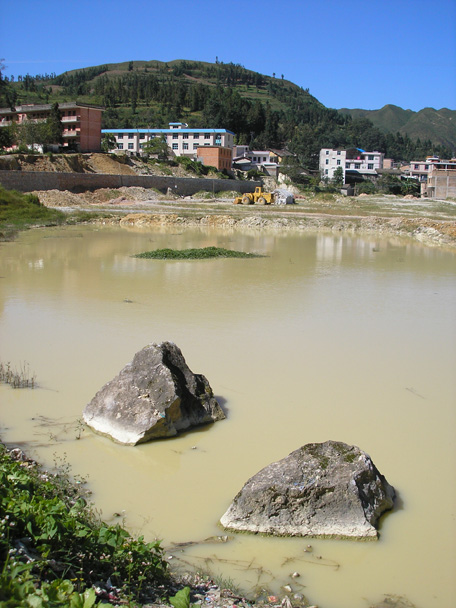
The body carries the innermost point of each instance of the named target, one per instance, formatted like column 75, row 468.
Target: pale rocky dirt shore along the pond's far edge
column 422, row 221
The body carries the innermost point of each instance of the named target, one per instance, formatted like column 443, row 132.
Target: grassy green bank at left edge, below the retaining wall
column 20, row 211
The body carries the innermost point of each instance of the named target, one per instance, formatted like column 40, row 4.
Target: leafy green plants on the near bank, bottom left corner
column 54, row 549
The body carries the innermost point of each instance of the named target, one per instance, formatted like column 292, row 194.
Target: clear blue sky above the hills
column 355, row 54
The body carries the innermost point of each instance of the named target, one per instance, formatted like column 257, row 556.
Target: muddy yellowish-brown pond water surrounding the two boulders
column 327, row 337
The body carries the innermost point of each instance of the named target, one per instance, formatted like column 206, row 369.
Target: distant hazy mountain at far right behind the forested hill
column 438, row 126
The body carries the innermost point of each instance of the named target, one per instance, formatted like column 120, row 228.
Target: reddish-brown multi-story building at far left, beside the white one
column 81, row 122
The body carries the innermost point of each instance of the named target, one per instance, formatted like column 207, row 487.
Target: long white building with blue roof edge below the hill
column 181, row 140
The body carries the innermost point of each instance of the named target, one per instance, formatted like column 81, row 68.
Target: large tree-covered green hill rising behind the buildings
column 263, row 111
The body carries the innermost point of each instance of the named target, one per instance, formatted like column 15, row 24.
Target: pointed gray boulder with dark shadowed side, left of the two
column 154, row 396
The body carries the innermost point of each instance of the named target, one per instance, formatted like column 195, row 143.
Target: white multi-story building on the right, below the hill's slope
column 353, row 160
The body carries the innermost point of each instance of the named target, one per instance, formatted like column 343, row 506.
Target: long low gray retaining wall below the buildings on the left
column 26, row 181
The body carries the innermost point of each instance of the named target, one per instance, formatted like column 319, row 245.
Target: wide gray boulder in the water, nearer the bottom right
column 326, row 489
